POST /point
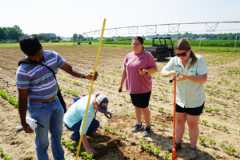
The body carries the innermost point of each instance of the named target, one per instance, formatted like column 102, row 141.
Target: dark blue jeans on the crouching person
column 76, row 129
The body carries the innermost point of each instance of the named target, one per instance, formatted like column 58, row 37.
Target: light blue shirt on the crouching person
column 76, row 112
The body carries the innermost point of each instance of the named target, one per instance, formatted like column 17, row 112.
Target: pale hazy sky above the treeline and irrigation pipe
column 66, row 17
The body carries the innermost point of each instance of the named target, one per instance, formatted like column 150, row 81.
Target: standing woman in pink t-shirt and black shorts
column 138, row 67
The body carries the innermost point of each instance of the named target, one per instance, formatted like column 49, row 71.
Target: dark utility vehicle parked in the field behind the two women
column 162, row 48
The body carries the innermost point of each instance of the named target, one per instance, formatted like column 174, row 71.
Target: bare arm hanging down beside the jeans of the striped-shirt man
column 22, row 108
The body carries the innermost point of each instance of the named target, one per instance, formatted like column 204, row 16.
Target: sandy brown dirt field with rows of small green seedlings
column 220, row 124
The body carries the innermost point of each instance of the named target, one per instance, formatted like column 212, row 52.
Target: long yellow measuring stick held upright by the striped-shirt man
column 90, row 89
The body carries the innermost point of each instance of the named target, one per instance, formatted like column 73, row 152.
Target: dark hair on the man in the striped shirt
column 30, row 45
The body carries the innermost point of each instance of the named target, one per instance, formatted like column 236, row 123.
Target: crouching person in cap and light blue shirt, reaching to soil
column 74, row 116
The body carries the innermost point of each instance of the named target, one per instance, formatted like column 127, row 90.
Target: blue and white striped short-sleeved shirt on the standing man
column 39, row 80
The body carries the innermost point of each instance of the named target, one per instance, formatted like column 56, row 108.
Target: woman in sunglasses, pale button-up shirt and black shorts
column 190, row 71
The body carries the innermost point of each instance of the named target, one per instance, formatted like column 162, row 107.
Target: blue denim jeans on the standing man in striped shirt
column 50, row 115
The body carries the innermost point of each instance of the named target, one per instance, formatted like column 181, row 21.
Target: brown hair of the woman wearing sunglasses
column 183, row 44
